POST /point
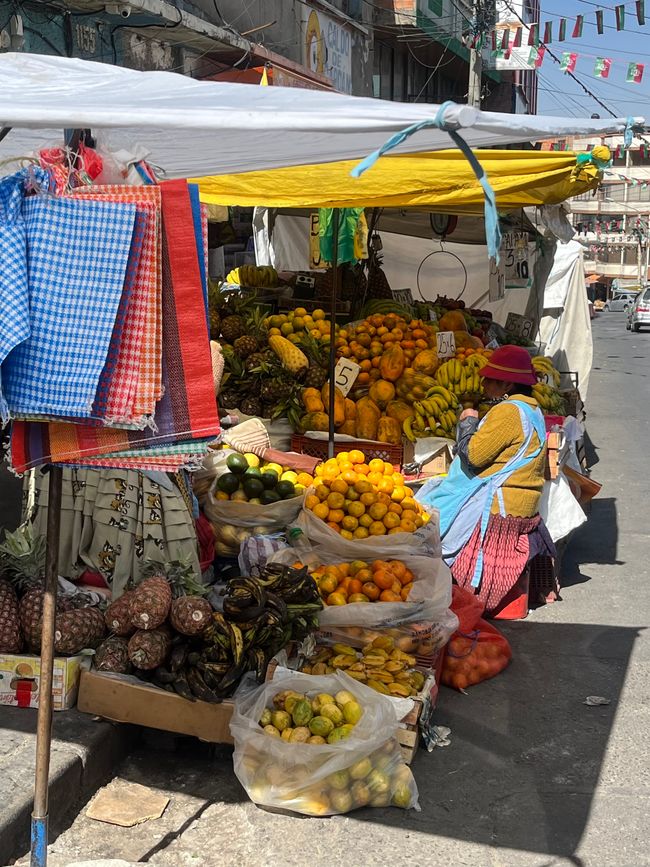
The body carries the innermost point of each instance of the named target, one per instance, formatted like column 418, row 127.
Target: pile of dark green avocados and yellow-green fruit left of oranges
column 251, row 480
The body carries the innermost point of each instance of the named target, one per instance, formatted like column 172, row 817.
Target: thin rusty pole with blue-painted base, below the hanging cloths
column 44, row 724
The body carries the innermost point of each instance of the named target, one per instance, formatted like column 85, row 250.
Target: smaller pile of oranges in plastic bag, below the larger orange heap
column 360, row 581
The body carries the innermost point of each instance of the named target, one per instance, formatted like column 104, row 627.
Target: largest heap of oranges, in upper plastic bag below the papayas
column 359, row 499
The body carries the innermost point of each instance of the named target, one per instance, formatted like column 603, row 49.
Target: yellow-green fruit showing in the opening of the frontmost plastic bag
column 300, row 720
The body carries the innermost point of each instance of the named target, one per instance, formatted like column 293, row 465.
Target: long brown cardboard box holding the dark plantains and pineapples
column 124, row 699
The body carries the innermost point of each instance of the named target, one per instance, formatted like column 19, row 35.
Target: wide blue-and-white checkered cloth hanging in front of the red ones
column 77, row 254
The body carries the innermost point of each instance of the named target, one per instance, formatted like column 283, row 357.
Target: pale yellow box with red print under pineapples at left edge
column 20, row 680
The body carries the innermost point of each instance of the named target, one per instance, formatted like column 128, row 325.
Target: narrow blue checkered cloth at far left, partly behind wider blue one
column 14, row 284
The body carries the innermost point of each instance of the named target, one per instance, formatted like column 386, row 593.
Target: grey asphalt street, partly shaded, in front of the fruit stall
column 533, row 776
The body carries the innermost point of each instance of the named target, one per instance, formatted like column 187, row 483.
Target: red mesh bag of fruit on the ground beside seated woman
column 477, row 650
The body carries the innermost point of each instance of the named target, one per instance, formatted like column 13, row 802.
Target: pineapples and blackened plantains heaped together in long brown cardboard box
column 182, row 645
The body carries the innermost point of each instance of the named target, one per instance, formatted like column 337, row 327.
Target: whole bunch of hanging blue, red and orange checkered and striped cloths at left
column 105, row 355
